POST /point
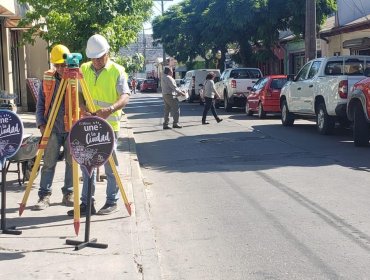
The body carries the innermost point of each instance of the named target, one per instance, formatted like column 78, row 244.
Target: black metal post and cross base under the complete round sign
column 87, row 242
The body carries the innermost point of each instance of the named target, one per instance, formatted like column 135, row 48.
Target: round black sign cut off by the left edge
column 11, row 134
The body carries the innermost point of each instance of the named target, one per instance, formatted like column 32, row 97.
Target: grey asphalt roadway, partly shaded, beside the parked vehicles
column 251, row 199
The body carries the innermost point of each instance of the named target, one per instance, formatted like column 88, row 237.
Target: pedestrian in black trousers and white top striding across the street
column 210, row 93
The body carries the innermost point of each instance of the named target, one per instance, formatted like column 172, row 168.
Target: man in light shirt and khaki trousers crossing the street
column 170, row 92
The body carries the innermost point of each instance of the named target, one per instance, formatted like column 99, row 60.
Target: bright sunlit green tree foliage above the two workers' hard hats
column 72, row 22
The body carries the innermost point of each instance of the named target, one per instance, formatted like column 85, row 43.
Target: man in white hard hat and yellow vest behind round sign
column 108, row 87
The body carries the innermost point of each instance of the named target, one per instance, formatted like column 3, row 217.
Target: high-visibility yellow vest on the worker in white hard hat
column 103, row 89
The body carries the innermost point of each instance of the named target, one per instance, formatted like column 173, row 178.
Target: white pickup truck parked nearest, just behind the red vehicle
column 320, row 91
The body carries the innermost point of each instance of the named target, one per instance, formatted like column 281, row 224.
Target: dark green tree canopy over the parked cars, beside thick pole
column 193, row 27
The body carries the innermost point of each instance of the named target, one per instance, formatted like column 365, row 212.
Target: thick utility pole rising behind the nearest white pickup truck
column 310, row 30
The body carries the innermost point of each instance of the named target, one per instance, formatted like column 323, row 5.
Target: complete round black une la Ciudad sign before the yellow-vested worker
column 91, row 142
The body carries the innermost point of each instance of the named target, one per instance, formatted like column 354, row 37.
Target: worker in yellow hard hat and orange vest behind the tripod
column 59, row 133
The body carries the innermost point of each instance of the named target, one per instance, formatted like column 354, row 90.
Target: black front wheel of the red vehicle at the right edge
column 360, row 128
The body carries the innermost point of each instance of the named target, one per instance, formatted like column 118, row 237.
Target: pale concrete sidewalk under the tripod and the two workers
column 40, row 252
